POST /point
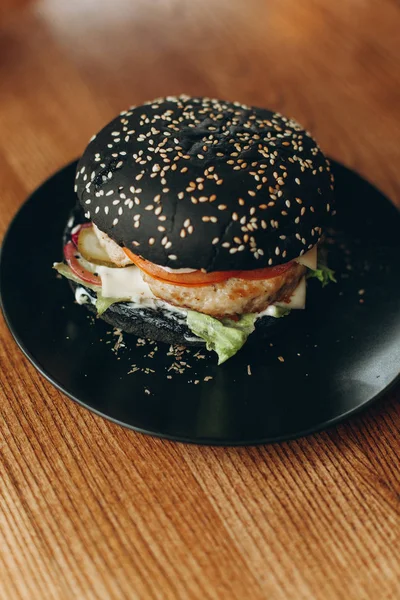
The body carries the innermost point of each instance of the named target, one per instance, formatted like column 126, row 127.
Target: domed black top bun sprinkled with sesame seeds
column 206, row 184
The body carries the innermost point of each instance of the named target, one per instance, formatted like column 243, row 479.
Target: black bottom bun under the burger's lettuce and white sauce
column 162, row 326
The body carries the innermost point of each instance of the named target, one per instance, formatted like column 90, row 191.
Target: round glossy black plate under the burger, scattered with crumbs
column 336, row 357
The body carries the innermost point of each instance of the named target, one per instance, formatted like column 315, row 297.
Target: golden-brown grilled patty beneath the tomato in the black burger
column 231, row 297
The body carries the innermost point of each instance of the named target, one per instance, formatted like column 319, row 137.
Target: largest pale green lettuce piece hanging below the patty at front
column 225, row 337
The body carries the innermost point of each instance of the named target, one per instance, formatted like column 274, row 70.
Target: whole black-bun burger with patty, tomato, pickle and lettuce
column 198, row 221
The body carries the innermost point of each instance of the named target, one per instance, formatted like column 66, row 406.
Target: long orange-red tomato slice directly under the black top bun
column 198, row 278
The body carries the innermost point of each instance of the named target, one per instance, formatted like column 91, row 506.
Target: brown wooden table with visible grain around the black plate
column 90, row 510
